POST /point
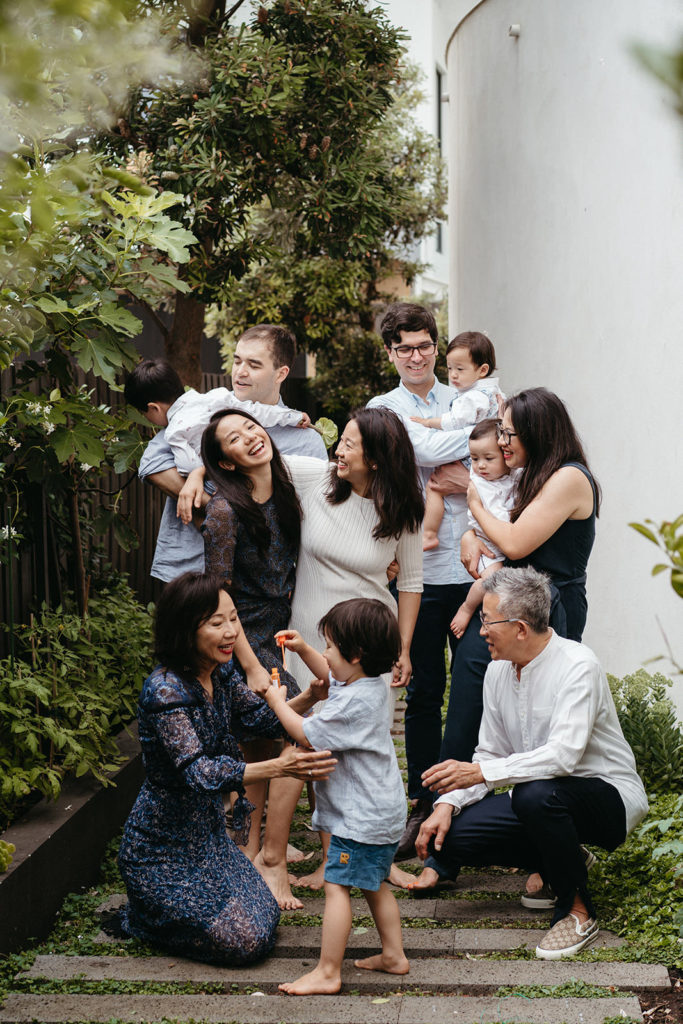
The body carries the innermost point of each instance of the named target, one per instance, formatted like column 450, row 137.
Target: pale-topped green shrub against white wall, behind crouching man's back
column 651, row 727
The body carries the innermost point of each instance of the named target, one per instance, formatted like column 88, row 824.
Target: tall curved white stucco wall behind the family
column 566, row 227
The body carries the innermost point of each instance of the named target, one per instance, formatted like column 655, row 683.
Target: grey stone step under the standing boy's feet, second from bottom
column 435, row 975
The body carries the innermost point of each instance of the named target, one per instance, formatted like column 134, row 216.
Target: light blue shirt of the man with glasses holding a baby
column 433, row 449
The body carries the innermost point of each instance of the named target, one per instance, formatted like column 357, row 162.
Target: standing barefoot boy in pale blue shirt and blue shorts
column 363, row 805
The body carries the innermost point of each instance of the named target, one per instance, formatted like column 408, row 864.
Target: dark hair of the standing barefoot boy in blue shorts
column 366, row 629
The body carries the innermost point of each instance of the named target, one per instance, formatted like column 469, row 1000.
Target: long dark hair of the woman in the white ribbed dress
column 395, row 486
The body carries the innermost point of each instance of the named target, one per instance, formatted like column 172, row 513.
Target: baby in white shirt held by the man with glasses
column 472, row 360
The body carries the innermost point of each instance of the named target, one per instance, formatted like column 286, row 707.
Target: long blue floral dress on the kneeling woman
column 191, row 890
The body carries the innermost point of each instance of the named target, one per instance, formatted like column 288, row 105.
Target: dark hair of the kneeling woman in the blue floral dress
column 185, row 604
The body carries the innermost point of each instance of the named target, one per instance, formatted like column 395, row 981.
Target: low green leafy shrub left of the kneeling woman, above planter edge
column 74, row 686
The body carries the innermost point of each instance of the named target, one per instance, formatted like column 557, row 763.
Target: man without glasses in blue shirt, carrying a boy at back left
column 258, row 376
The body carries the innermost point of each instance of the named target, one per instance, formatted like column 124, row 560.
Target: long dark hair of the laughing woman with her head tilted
column 236, row 487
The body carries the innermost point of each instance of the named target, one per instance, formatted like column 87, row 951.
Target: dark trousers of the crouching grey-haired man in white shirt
column 539, row 828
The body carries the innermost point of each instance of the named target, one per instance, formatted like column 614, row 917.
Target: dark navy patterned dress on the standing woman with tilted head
column 262, row 584
